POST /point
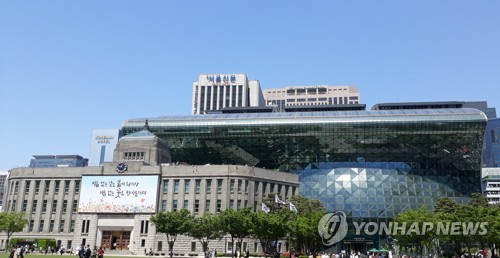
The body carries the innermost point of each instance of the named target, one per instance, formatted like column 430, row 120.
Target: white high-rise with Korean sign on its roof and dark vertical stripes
column 213, row 92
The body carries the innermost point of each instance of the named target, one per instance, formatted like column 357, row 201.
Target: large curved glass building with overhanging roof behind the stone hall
column 371, row 164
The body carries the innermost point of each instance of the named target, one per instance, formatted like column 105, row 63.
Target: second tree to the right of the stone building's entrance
column 206, row 228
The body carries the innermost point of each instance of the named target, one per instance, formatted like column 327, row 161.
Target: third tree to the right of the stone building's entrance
column 238, row 224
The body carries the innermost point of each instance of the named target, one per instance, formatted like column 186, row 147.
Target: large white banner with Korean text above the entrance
column 118, row 194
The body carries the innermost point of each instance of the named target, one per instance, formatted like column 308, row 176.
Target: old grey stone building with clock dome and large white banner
column 111, row 205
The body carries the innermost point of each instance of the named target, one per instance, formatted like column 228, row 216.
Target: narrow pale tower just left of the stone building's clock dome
column 102, row 145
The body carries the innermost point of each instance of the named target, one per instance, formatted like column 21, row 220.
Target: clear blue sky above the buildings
column 67, row 67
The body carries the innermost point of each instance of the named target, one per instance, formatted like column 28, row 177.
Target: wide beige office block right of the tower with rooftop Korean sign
column 311, row 95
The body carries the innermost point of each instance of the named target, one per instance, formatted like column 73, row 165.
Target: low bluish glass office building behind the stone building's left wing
column 50, row 161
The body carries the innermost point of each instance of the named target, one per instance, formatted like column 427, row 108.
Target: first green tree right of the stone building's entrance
column 172, row 224
